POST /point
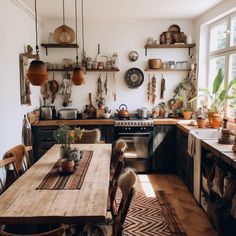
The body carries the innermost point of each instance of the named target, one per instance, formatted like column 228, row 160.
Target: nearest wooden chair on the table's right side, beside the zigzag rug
column 127, row 185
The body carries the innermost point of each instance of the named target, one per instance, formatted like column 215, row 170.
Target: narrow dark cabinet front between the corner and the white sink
column 184, row 162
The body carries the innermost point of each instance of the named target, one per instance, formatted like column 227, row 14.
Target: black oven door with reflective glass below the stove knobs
column 140, row 147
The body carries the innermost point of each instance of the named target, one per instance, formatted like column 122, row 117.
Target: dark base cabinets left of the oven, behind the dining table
column 43, row 136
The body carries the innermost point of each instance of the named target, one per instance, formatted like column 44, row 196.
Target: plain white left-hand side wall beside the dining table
column 17, row 30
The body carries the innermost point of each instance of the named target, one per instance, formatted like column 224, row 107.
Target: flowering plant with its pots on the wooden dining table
column 65, row 136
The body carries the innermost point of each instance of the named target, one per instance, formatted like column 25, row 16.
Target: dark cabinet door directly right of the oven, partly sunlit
column 164, row 148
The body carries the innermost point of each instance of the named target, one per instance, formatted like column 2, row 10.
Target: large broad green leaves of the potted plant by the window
column 219, row 94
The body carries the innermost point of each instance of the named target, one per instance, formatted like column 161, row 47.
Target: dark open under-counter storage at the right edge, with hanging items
column 218, row 184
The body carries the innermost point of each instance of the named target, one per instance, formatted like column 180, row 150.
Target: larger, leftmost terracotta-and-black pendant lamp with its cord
column 37, row 73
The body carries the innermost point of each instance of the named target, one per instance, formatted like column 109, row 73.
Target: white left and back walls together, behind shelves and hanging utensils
column 114, row 36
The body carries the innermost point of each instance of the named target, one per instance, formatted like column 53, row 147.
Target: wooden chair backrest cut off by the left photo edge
column 8, row 173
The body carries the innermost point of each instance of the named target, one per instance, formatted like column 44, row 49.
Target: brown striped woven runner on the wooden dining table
column 55, row 180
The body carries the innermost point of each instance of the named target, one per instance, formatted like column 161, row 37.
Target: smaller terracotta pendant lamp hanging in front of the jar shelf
column 78, row 74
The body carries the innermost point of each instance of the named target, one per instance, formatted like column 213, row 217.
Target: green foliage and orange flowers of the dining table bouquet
column 65, row 136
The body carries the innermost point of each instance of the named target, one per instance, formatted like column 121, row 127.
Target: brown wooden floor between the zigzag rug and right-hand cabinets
column 190, row 214
